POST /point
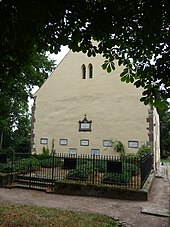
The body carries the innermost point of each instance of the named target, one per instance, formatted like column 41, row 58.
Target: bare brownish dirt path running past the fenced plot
column 127, row 211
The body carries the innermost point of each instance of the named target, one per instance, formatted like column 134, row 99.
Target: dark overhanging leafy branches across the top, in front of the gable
column 136, row 33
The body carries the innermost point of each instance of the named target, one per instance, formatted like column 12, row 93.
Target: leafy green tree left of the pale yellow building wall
column 15, row 88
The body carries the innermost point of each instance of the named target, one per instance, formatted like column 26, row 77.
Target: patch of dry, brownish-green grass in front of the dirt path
column 12, row 215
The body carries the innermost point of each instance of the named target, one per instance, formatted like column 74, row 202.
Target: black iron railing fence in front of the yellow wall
column 126, row 172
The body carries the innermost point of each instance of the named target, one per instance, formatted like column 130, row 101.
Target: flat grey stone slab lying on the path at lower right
column 156, row 211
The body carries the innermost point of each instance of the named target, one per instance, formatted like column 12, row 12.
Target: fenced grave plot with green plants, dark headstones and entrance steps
column 64, row 173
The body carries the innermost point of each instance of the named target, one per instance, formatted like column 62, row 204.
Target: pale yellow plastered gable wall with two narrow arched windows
column 113, row 107
